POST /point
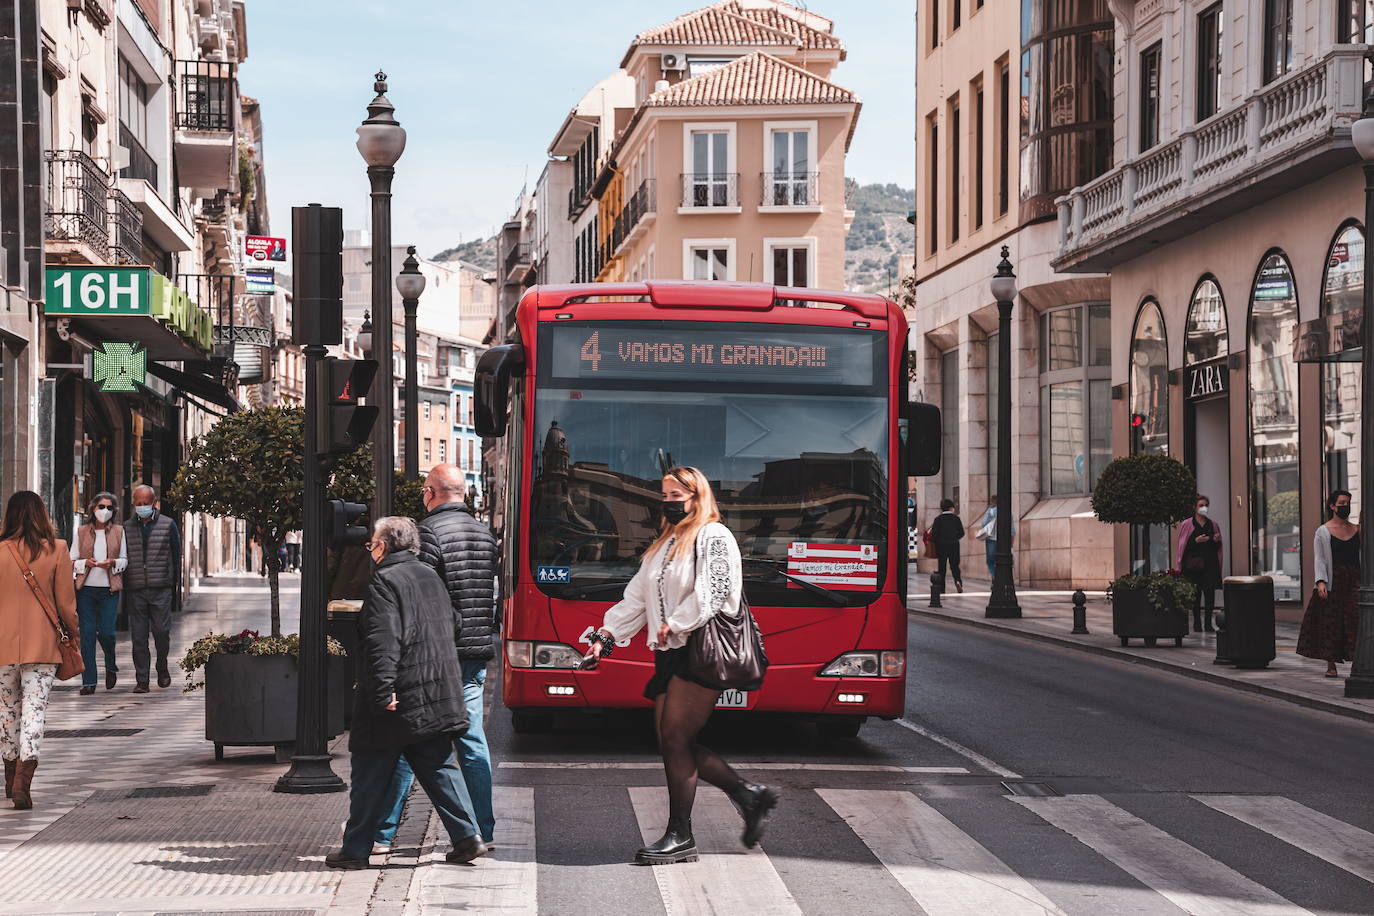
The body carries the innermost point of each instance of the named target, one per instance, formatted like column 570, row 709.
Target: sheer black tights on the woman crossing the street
column 679, row 716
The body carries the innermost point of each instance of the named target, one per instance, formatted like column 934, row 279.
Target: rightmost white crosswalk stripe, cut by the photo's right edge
column 1314, row 833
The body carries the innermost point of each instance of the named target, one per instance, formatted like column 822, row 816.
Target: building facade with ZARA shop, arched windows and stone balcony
column 1232, row 227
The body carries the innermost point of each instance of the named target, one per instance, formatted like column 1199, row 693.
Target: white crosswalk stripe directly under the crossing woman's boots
column 729, row 878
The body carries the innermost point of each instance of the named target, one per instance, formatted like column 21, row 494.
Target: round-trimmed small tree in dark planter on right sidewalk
column 1144, row 491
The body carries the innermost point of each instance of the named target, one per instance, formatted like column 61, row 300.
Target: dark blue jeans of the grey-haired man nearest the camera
column 376, row 772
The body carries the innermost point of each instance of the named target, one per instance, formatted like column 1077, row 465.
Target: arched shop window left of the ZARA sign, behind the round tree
column 1149, row 399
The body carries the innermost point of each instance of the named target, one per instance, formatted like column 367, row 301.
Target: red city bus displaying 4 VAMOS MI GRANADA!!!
column 792, row 402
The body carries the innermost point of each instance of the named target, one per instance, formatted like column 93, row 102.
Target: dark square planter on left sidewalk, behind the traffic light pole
column 251, row 701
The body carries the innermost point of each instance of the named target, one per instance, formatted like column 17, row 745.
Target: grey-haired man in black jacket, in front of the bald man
column 409, row 701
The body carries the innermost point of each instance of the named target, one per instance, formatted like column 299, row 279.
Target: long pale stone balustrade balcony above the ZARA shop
column 1294, row 128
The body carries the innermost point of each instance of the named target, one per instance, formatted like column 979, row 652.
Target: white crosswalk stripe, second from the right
column 1182, row 874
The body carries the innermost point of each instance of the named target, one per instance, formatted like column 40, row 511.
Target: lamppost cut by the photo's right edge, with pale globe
column 1361, row 683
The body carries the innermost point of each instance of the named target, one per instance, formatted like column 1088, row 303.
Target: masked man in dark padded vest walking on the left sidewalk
column 150, row 583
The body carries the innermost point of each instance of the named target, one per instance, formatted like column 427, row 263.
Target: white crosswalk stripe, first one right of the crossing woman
column 945, row 870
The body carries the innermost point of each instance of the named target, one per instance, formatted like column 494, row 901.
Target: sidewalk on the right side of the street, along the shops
column 1049, row 617
